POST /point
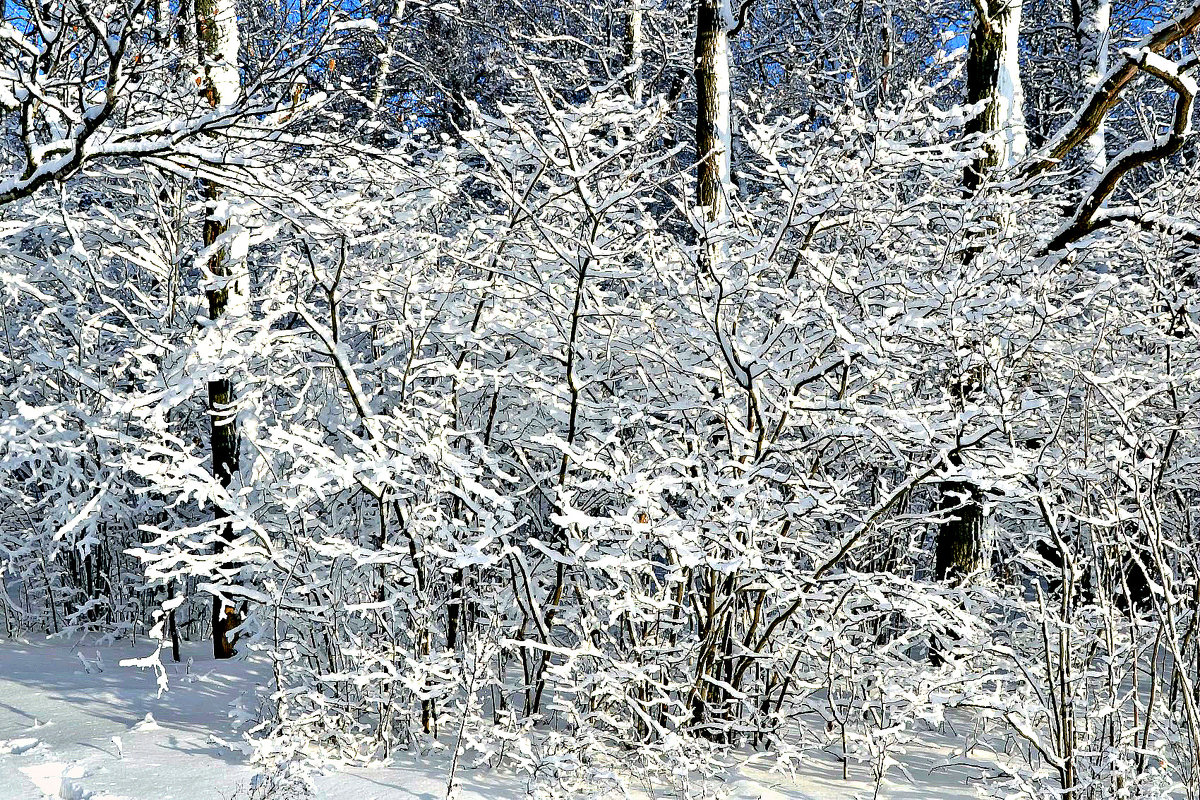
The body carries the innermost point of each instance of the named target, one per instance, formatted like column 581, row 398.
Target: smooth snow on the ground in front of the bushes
column 76, row 726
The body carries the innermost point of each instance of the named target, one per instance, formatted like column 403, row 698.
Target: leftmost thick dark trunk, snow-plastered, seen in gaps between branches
column 217, row 35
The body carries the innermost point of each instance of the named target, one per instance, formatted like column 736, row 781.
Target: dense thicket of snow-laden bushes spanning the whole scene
column 532, row 478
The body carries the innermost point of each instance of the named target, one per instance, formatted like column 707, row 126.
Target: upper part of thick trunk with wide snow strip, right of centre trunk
column 994, row 80
